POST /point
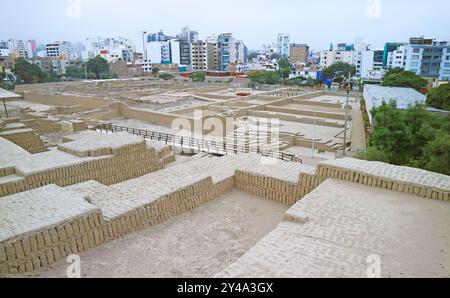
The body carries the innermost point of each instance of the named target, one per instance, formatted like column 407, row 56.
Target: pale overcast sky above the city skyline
column 315, row 22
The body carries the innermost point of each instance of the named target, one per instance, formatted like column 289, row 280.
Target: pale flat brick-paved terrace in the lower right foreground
column 338, row 228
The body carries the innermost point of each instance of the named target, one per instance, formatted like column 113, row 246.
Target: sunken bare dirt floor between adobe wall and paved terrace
column 196, row 244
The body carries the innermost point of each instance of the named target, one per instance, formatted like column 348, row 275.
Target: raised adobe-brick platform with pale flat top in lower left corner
column 43, row 226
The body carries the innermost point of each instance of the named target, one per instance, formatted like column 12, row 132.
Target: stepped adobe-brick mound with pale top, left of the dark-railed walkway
column 84, row 160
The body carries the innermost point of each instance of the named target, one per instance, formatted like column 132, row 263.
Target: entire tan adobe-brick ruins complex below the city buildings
column 147, row 178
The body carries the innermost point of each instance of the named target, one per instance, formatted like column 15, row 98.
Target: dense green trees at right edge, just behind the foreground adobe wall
column 412, row 137
